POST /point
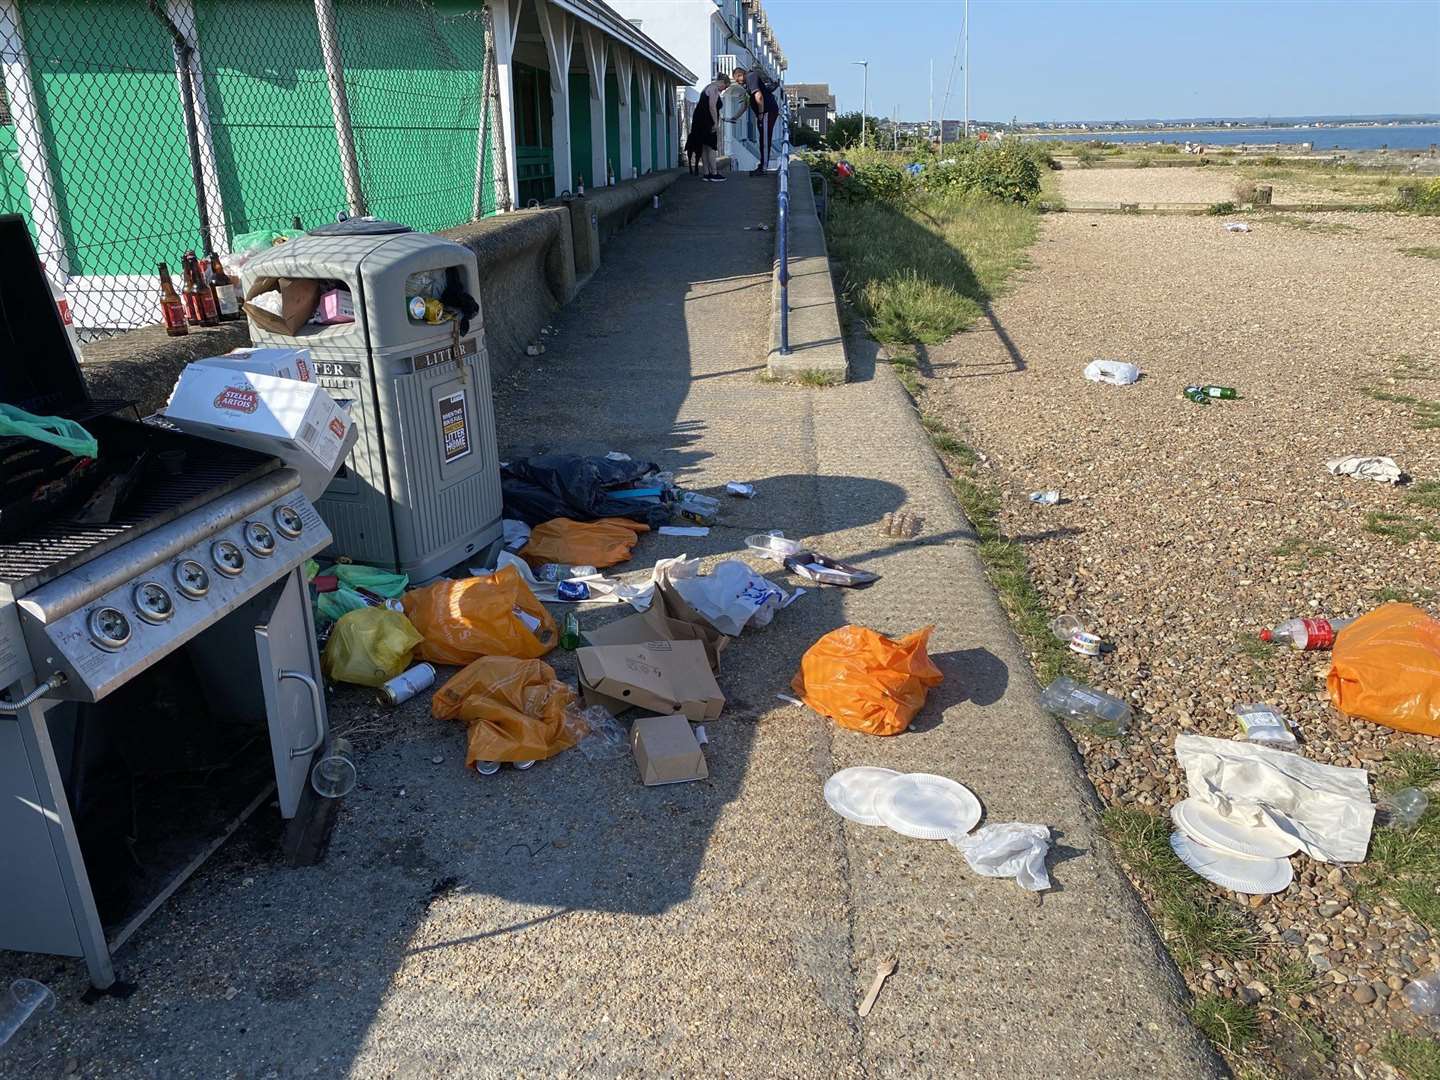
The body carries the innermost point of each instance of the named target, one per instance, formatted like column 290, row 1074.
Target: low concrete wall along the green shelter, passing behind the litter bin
column 528, row 271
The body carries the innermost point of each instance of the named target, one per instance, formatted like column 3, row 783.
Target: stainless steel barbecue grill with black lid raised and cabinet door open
column 155, row 630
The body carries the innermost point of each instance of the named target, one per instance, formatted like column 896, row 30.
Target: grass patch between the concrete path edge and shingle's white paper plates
column 1193, row 919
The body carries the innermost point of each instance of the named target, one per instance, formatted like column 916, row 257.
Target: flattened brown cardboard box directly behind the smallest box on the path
column 656, row 676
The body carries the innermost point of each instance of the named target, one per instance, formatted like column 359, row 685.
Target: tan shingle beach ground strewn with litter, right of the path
column 1184, row 529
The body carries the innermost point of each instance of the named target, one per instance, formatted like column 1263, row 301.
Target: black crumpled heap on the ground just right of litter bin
column 538, row 490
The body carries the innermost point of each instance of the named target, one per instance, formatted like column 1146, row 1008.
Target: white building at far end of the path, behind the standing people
column 714, row 37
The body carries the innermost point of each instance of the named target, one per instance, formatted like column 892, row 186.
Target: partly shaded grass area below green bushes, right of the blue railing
column 925, row 271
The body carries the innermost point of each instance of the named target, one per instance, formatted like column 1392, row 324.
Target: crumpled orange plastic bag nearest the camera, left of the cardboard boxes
column 515, row 709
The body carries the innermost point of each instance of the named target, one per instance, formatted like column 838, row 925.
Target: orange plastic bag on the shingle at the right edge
column 1386, row 669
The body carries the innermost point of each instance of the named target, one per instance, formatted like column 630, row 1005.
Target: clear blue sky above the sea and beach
column 1121, row 60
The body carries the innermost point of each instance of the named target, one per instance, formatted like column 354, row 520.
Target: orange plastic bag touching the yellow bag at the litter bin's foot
column 495, row 616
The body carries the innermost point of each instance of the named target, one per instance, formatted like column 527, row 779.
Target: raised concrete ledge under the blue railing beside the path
column 817, row 346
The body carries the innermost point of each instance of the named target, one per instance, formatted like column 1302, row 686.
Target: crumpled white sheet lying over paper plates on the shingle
column 1326, row 807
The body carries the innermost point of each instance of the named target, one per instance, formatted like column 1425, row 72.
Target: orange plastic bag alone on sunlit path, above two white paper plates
column 868, row 682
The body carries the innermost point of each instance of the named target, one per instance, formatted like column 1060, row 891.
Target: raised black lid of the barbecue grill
column 40, row 371
